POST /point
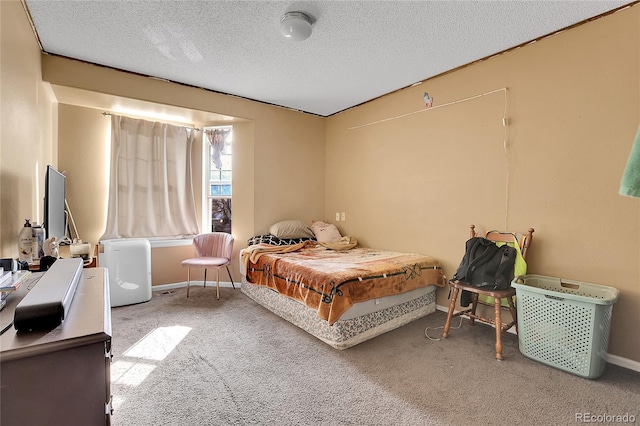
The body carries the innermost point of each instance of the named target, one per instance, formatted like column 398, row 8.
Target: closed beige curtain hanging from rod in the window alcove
column 150, row 185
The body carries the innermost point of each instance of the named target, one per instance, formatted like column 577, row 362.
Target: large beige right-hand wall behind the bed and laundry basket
column 572, row 106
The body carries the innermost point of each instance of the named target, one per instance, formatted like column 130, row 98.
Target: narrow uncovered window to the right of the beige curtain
column 218, row 189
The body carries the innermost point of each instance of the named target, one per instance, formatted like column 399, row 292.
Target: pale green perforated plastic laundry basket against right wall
column 564, row 323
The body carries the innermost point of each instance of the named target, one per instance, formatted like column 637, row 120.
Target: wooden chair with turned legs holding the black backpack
column 524, row 241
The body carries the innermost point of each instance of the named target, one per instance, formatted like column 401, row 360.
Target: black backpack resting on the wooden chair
column 485, row 265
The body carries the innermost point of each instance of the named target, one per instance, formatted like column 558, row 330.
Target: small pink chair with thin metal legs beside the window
column 213, row 250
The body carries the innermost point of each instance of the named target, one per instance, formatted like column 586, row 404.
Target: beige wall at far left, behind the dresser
column 27, row 126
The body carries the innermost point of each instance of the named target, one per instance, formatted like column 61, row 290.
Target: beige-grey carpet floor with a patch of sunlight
column 202, row 361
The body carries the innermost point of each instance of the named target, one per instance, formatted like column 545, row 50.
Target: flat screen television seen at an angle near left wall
column 55, row 214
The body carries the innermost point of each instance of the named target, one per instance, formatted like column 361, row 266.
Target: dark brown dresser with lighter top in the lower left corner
column 61, row 376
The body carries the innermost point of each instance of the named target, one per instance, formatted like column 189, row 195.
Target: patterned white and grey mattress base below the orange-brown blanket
column 361, row 322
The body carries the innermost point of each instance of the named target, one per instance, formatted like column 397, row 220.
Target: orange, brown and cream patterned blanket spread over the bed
column 331, row 281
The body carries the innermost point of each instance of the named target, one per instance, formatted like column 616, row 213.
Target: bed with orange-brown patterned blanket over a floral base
column 341, row 296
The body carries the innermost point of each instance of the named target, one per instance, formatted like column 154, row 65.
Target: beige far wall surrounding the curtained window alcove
column 278, row 154
